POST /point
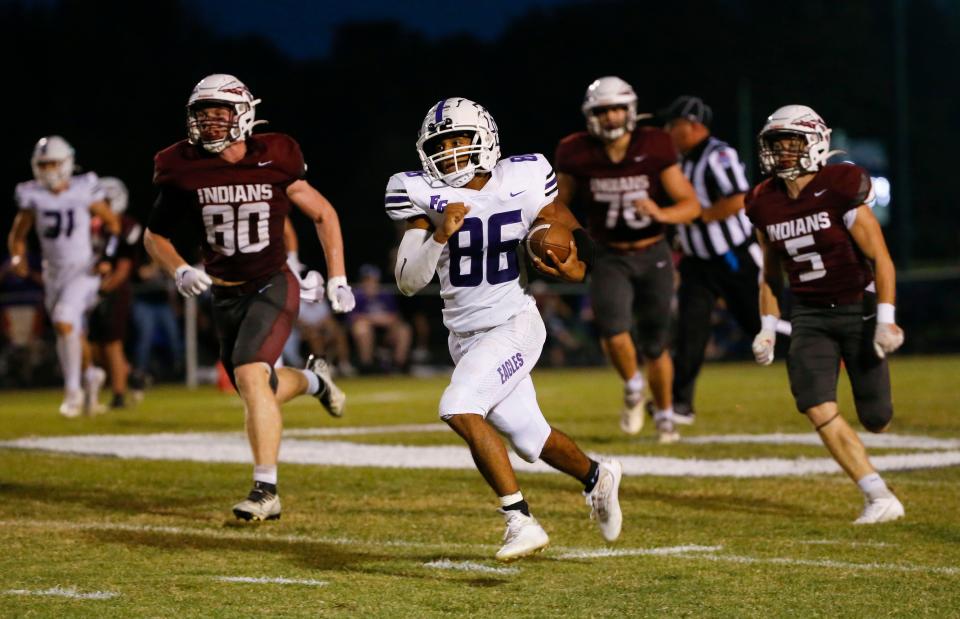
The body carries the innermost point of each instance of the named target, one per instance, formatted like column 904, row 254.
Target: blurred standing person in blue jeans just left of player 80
column 155, row 322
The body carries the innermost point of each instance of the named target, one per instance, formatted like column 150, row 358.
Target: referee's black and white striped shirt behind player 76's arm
column 715, row 171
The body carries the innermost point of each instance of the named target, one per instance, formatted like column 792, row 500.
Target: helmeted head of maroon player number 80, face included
column 220, row 111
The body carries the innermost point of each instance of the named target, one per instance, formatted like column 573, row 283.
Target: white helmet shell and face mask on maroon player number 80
column 227, row 90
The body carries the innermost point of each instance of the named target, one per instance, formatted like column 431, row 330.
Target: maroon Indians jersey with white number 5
column 811, row 233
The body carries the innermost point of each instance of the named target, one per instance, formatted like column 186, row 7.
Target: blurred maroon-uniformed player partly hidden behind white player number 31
column 109, row 318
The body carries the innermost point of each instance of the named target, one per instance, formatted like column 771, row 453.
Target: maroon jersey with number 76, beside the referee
column 606, row 190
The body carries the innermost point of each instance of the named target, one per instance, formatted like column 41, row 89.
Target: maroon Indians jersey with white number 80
column 239, row 207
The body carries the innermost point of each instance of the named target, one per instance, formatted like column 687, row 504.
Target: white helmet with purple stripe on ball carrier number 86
column 453, row 116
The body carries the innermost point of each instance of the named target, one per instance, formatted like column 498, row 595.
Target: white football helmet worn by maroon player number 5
column 798, row 120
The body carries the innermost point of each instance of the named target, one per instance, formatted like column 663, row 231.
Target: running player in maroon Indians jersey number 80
column 234, row 190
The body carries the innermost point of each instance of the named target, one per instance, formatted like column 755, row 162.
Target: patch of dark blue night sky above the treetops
column 284, row 22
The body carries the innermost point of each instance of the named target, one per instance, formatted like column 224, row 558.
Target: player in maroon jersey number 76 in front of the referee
column 624, row 179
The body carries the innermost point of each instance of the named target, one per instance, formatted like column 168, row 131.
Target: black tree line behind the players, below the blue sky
column 115, row 84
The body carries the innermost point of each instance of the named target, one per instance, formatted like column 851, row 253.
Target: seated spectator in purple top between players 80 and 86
column 377, row 311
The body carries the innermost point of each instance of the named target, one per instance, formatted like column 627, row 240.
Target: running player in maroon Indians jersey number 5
column 813, row 222
